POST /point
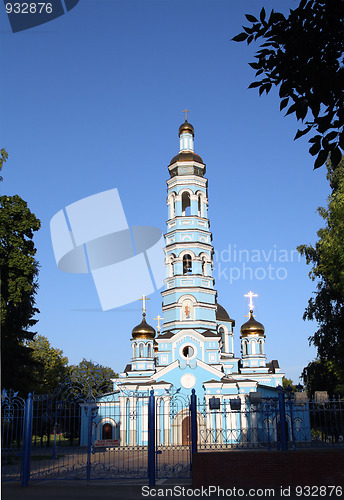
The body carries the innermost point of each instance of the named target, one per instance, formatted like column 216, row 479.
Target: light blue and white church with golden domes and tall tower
column 194, row 346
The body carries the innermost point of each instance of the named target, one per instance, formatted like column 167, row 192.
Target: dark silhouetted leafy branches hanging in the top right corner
column 302, row 54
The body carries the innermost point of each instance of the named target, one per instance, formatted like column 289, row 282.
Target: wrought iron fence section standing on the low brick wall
column 285, row 422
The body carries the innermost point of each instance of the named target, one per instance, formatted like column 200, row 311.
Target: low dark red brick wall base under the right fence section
column 273, row 469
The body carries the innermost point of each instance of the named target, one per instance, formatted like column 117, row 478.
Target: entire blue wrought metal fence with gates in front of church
column 83, row 434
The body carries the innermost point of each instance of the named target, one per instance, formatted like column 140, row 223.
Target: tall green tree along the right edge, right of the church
column 327, row 258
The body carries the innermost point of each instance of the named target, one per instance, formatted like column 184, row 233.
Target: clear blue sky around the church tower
column 93, row 101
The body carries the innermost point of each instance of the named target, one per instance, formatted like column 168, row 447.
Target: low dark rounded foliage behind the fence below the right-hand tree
column 321, row 375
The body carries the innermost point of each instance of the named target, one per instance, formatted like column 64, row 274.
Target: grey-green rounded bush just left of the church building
column 92, row 376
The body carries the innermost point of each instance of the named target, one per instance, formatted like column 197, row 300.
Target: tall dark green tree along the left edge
column 19, row 270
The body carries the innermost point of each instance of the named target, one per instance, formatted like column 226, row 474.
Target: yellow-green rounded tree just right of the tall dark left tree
column 51, row 368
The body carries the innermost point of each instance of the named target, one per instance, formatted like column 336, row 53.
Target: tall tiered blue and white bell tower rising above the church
column 189, row 299
